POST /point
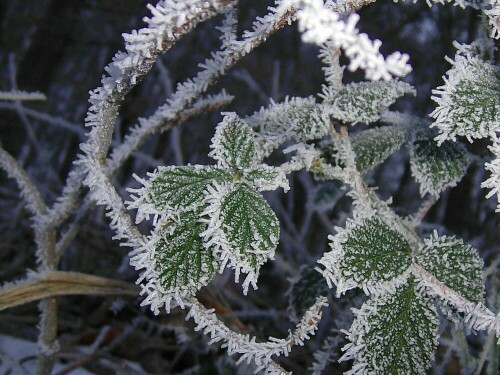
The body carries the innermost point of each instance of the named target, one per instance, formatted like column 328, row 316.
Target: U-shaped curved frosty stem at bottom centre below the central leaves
column 250, row 350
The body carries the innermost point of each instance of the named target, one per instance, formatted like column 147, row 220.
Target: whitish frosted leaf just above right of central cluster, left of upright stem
column 299, row 119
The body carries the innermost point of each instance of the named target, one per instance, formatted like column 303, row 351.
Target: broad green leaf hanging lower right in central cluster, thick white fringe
column 243, row 229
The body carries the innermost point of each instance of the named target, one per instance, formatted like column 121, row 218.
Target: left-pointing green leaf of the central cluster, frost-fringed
column 181, row 188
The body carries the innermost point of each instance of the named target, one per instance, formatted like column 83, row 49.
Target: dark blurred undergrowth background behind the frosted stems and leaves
column 60, row 47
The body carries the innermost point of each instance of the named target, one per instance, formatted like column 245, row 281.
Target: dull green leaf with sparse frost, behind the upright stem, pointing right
column 373, row 146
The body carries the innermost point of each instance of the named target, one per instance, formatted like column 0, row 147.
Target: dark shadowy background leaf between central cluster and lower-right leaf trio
column 305, row 290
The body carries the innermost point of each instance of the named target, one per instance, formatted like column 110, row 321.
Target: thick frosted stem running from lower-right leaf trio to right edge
column 477, row 316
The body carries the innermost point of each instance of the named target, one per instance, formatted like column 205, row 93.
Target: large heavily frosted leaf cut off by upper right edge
column 469, row 101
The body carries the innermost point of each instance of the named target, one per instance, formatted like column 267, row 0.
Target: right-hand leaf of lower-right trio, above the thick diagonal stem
column 455, row 264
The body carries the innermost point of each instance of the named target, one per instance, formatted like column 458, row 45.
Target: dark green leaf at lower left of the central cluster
column 182, row 263
